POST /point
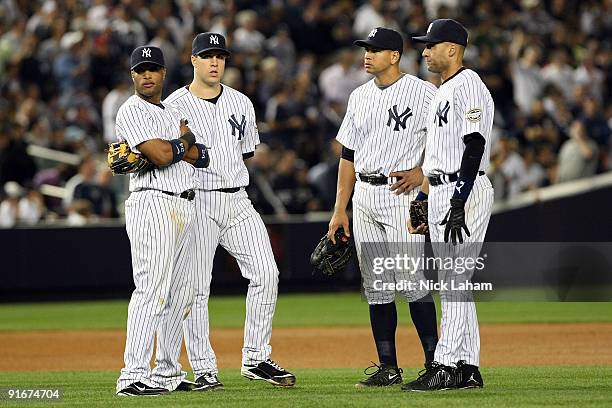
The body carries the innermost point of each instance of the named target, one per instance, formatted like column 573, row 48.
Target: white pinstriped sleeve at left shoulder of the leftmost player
column 133, row 126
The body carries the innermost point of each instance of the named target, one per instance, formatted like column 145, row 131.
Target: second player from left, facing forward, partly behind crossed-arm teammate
column 224, row 120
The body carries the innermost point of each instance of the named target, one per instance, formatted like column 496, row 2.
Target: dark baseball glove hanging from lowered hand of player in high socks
column 329, row 258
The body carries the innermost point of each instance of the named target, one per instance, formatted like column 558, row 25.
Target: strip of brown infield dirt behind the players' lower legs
column 323, row 347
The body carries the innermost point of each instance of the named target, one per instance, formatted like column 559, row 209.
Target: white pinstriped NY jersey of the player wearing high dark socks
column 386, row 127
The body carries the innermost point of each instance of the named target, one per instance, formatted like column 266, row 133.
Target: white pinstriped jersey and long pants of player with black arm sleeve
column 470, row 109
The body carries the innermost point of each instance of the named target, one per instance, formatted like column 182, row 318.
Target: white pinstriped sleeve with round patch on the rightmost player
column 470, row 108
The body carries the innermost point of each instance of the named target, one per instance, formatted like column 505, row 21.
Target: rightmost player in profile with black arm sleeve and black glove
column 460, row 198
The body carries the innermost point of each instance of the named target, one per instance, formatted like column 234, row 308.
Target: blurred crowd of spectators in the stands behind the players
column 64, row 73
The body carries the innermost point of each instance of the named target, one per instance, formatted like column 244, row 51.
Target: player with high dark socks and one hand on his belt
column 383, row 137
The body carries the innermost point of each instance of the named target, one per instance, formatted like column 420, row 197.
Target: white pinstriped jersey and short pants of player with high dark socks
column 382, row 146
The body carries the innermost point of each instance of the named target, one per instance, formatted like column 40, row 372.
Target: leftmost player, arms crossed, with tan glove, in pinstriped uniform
column 159, row 215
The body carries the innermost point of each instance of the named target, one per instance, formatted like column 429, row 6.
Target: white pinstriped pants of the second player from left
column 229, row 220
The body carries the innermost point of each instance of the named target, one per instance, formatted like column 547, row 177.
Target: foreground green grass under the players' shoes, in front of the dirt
column 504, row 387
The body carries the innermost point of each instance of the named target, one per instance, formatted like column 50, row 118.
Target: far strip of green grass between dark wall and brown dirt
column 344, row 309
